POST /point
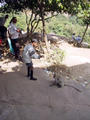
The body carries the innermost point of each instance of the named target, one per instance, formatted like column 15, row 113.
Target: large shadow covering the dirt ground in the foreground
column 23, row 99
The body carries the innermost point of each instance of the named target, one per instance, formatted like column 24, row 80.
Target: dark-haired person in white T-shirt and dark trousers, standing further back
column 14, row 36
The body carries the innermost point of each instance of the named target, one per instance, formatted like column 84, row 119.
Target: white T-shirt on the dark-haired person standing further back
column 13, row 31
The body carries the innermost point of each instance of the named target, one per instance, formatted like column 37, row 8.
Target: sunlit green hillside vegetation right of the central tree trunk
column 66, row 26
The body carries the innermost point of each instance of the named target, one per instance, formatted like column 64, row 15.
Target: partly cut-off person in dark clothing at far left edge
column 3, row 29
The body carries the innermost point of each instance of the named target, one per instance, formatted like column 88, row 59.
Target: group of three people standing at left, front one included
column 29, row 52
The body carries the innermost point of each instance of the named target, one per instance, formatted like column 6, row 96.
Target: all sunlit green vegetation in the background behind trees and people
column 63, row 25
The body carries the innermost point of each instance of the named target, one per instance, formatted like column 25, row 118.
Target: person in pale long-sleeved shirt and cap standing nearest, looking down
column 29, row 53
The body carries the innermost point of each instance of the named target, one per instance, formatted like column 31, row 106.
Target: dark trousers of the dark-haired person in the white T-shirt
column 16, row 48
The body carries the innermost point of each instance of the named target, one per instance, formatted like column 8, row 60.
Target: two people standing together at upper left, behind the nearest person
column 11, row 32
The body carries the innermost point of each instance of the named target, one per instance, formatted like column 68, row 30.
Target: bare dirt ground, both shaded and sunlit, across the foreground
column 22, row 99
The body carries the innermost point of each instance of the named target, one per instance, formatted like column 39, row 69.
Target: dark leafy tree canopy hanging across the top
column 70, row 6
